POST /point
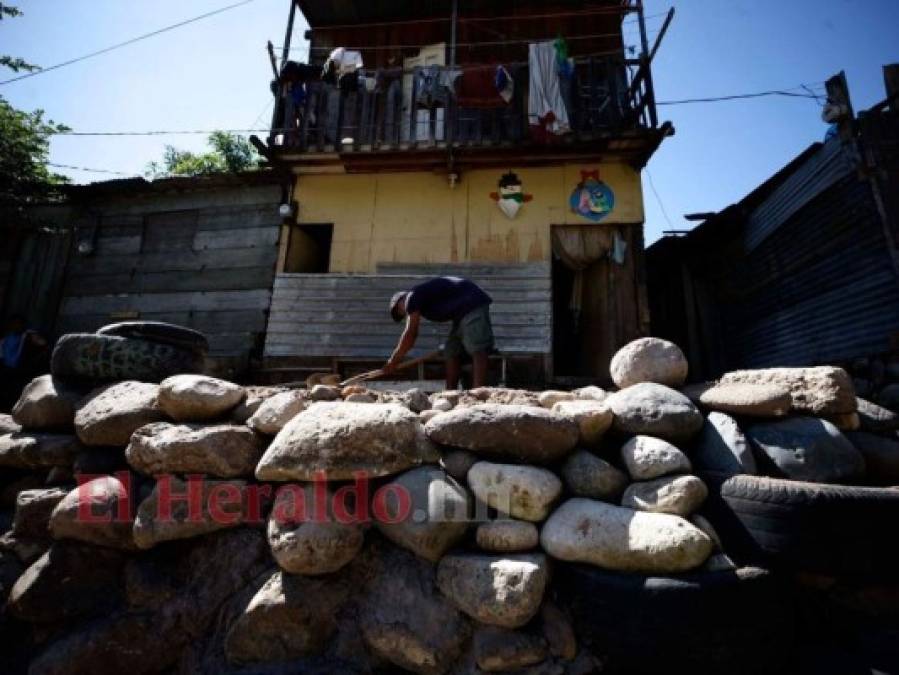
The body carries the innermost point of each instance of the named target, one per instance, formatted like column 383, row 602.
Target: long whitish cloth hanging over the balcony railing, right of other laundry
column 547, row 115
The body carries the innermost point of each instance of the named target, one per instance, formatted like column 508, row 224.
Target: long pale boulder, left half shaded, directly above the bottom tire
column 617, row 538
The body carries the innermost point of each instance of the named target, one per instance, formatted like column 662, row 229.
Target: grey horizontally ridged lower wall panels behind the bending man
column 346, row 316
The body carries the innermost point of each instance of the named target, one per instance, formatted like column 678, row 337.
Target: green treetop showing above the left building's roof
column 228, row 152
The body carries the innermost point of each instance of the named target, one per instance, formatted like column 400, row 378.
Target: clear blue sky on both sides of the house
column 214, row 74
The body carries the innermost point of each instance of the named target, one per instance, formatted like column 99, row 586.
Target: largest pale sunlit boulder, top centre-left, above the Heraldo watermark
column 339, row 440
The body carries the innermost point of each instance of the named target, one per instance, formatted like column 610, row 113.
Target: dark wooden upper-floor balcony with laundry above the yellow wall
column 382, row 119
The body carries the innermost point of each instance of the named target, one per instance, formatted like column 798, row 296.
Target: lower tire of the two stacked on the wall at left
column 97, row 358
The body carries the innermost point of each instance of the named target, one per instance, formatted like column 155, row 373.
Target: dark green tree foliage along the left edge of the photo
column 24, row 145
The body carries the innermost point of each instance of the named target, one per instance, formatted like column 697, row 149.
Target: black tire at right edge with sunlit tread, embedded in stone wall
column 828, row 529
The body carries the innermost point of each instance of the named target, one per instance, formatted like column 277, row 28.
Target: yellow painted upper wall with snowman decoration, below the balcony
column 417, row 217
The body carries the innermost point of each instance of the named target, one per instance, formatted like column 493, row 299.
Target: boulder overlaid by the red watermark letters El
column 99, row 511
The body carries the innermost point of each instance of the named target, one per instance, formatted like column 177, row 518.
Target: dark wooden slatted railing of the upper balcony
column 604, row 97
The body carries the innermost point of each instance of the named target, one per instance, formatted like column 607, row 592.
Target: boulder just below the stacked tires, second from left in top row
column 110, row 414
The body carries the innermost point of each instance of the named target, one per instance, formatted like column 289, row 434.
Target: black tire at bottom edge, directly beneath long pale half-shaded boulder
column 705, row 622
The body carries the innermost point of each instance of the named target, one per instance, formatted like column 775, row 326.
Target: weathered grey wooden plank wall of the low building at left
column 213, row 271
